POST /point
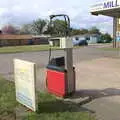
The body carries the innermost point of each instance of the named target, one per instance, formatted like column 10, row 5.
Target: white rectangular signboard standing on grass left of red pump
column 25, row 83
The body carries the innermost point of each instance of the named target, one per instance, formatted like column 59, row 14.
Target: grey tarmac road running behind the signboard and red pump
column 41, row 58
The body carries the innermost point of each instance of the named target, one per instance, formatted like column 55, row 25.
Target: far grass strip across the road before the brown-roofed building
column 27, row 48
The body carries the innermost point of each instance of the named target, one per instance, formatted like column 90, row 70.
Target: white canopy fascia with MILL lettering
column 105, row 5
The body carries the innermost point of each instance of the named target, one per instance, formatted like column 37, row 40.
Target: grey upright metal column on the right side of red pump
column 69, row 68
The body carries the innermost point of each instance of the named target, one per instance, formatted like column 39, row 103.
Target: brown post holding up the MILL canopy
column 114, row 31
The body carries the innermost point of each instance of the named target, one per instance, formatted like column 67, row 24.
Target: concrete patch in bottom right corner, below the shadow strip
column 107, row 108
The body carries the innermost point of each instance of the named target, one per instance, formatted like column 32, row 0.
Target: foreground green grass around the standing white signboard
column 49, row 107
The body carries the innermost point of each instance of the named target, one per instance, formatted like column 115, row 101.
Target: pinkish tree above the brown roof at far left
column 10, row 29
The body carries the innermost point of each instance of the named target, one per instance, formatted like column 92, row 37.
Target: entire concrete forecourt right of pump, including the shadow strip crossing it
column 99, row 79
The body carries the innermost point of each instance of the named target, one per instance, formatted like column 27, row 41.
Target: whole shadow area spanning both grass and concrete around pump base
column 69, row 105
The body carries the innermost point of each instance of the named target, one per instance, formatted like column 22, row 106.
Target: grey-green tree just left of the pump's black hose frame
column 38, row 26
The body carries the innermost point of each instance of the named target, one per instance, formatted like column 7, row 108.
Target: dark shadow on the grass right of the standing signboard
column 60, row 106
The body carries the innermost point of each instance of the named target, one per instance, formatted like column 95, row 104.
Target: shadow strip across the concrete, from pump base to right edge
column 90, row 95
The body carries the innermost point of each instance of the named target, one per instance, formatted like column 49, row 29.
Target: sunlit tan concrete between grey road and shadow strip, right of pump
column 99, row 73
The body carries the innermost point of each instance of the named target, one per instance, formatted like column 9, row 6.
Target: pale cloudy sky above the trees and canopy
column 24, row 11
